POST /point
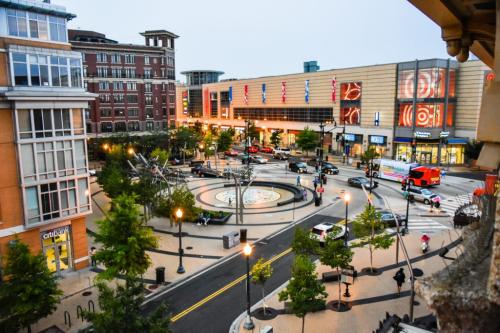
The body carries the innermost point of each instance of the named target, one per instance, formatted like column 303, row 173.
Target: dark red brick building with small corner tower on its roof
column 135, row 83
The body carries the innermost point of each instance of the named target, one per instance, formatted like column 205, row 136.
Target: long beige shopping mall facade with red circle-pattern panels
column 432, row 104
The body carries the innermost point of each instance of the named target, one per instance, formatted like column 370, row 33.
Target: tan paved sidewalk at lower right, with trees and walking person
column 371, row 296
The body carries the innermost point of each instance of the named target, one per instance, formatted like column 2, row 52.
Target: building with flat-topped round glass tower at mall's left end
column 191, row 95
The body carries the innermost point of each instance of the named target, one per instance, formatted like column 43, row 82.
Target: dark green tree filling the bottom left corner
column 30, row 291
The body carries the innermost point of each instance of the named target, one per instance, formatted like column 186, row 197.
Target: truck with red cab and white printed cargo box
column 416, row 174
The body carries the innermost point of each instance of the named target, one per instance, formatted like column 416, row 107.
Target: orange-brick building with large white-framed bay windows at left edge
column 44, row 179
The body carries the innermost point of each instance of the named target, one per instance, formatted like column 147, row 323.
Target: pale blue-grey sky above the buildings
column 255, row 38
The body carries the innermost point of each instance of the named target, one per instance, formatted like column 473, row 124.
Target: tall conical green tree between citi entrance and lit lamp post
column 125, row 240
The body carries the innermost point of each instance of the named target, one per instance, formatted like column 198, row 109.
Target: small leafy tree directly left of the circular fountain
column 182, row 198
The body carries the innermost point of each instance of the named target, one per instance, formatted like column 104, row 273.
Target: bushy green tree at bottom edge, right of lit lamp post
column 304, row 291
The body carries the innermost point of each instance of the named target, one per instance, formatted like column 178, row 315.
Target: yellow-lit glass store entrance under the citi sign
column 57, row 249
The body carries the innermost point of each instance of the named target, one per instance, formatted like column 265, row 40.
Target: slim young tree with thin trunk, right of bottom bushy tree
column 336, row 255
